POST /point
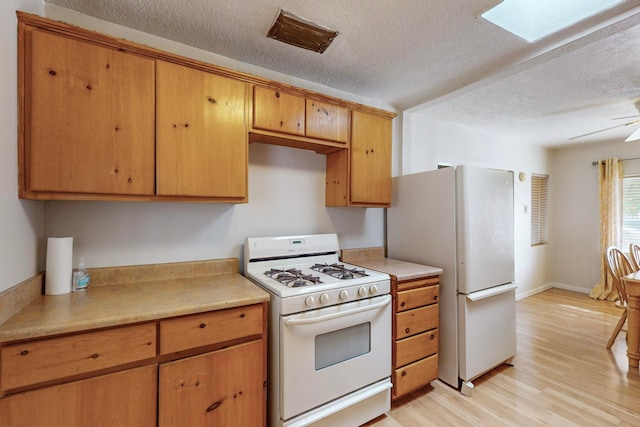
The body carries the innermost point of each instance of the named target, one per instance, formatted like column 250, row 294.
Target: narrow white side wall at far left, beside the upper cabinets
column 20, row 221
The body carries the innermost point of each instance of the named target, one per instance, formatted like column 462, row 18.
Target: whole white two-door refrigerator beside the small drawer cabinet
column 461, row 220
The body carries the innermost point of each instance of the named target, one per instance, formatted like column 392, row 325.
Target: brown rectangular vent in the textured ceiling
column 290, row 29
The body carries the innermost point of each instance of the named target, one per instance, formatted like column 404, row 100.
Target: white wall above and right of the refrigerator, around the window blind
column 427, row 142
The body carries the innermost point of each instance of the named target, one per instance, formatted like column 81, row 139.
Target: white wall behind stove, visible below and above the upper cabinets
column 286, row 195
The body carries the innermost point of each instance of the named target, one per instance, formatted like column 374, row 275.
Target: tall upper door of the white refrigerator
column 485, row 228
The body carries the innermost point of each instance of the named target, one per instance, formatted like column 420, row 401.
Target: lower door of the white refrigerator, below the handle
column 487, row 331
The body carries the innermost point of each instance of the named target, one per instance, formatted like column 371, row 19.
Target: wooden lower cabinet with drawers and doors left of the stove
column 203, row 369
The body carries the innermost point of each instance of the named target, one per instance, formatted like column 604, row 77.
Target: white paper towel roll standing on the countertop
column 59, row 265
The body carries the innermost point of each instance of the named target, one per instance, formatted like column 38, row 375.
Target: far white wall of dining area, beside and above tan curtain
column 575, row 209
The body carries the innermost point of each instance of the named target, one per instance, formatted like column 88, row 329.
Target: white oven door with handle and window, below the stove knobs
column 330, row 352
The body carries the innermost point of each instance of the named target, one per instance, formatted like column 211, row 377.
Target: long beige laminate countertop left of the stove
column 104, row 306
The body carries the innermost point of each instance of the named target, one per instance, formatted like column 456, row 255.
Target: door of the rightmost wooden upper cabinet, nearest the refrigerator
column 370, row 174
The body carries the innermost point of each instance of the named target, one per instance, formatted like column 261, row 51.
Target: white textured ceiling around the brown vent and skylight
column 436, row 58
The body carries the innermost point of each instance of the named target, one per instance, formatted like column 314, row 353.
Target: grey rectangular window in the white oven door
column 338, row 346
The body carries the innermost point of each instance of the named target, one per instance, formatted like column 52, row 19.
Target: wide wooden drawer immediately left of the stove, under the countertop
column 214, row 327
